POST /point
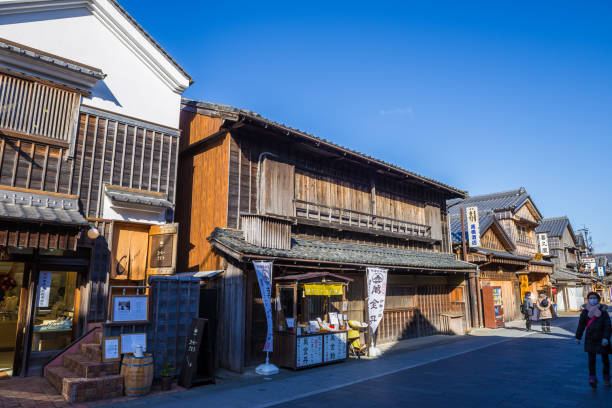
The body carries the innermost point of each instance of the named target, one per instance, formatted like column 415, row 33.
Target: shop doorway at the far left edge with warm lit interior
column 11, row 280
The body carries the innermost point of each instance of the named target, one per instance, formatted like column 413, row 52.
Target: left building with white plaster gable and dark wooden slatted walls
column 87, row 167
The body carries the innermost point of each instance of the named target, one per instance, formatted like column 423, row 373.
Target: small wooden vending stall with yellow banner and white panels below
column 311, row 323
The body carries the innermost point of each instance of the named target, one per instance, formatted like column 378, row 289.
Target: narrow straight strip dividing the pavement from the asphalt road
column 395, row 371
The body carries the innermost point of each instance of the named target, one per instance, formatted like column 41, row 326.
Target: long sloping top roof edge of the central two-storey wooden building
column 235, row 113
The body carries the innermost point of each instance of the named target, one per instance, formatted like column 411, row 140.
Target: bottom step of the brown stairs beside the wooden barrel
column 78, row 389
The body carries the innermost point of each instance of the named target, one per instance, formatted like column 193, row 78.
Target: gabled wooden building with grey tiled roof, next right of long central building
column 508, row 244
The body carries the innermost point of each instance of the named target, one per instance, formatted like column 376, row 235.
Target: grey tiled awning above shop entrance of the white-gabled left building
column 33, row 219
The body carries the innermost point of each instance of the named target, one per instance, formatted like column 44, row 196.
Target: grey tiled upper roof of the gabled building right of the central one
column 506, row 200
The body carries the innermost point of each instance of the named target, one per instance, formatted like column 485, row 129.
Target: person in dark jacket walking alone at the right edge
column 595, row 322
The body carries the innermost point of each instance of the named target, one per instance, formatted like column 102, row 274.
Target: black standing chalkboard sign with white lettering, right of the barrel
column 197, row 365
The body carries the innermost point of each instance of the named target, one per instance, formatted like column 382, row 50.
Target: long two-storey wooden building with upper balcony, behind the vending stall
column 252, row 189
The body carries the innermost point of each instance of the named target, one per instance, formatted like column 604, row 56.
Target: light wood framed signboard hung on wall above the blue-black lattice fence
column 162, row 249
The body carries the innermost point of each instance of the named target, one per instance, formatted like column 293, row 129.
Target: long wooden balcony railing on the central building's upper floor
column 346, row 217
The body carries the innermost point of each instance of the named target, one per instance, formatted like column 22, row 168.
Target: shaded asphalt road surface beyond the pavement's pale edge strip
column 537, row 370
